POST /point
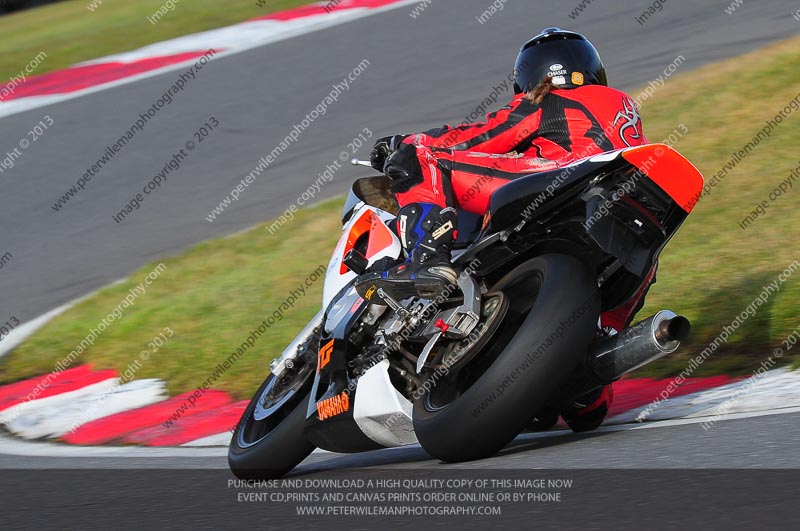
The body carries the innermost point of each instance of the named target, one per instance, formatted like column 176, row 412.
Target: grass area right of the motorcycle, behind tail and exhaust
column 713, row 269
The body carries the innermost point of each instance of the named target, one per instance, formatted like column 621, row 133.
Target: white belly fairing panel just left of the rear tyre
column 381, row 412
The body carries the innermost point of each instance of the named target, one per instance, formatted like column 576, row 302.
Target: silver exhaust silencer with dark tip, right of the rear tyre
column 614, row 356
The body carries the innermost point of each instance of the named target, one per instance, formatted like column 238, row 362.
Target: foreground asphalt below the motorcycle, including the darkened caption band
column 741, row 474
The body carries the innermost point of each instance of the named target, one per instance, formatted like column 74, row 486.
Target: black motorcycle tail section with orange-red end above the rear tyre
column 580, row 210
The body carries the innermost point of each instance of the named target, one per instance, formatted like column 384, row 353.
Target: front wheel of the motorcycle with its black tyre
column 268, row 441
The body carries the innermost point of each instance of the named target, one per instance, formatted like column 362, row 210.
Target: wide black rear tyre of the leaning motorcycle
column 475, row 411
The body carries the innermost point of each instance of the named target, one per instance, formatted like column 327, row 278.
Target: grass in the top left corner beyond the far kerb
column 69, row 33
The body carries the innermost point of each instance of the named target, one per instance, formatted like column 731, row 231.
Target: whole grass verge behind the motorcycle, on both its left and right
column 214, row 294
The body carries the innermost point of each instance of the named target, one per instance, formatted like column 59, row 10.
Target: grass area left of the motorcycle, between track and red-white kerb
column 211, row 297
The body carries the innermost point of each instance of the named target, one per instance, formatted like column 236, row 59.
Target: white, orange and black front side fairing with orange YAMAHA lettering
column 347, row 414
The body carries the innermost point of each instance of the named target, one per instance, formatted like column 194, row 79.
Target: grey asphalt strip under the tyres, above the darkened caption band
column 752, row 442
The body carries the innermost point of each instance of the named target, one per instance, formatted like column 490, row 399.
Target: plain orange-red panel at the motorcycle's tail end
column 670, row 170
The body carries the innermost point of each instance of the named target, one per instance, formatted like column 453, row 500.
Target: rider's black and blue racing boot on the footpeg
column 427, row 234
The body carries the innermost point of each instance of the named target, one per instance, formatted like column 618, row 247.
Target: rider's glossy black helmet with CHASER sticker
column 568, row 57
